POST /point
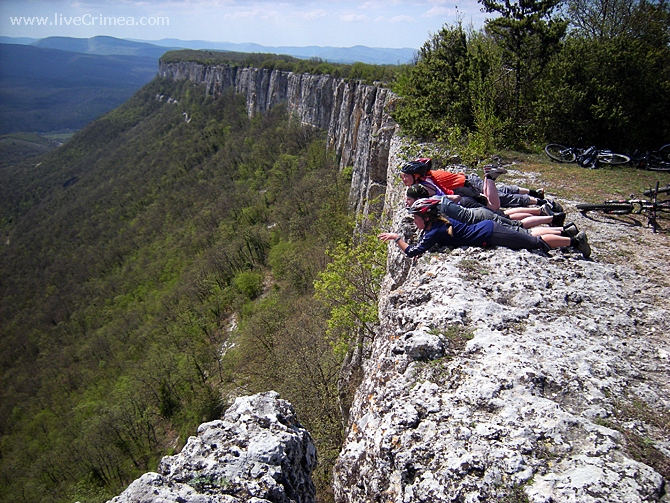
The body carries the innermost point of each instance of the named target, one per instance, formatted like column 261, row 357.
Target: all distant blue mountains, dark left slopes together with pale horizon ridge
column 62, row 83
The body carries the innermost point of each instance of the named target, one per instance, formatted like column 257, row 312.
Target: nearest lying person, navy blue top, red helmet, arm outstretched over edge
column 442, row 231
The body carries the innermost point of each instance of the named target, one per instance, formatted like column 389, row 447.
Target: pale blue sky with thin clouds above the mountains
column 345, row 23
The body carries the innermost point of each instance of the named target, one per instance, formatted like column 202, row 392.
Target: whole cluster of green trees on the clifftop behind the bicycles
column 594, row 73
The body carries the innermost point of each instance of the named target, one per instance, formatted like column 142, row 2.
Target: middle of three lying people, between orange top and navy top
column 449, row 207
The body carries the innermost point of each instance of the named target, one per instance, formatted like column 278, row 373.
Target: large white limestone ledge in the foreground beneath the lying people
column 522, row 406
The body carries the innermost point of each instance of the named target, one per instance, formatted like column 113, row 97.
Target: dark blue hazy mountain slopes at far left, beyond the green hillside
column 43, row 90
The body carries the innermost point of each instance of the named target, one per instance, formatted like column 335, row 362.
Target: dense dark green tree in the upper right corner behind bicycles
column 610, row 86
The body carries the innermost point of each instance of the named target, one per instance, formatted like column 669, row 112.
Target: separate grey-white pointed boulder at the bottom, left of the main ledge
column 258, row 452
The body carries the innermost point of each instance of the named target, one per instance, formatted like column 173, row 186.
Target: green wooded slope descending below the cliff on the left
column 152, row 269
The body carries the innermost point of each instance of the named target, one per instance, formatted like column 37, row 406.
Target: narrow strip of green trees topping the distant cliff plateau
column 315, row 66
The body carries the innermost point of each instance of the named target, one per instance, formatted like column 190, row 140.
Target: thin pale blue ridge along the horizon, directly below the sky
column 155, row 48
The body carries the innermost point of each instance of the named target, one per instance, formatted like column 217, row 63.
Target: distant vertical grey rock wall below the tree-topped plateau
column 354, row 115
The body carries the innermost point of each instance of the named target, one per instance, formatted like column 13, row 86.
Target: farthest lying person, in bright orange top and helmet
column 442, row 183
